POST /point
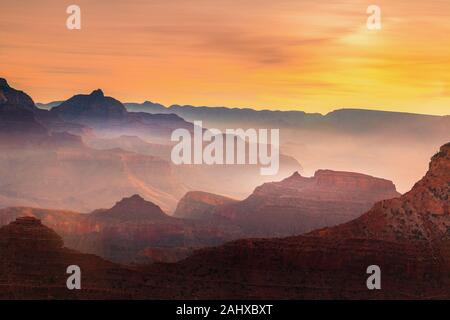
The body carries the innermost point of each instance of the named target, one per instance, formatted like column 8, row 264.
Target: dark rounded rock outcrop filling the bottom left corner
column 34, row 265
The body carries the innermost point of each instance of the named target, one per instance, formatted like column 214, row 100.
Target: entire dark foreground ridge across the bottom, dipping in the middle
column 406, row 236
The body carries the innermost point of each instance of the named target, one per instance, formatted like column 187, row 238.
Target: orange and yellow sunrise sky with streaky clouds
column 309, row 55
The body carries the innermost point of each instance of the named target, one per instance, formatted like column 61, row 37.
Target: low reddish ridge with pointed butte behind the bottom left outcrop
column 133, row 230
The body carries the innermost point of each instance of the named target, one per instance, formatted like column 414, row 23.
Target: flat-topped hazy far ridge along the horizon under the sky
column 346, row 120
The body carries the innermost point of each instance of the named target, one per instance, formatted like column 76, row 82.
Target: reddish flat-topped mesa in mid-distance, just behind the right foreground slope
column 294, row 205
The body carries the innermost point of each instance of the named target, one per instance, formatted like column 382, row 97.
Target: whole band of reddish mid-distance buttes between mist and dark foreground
column 137, row 231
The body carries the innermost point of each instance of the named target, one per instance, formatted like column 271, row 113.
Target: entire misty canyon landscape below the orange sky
column 217, row 232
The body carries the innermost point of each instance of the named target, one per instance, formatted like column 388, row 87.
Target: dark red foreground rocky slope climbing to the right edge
column 406, row 237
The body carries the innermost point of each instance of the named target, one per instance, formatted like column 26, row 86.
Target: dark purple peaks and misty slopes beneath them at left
column 82, row 147
